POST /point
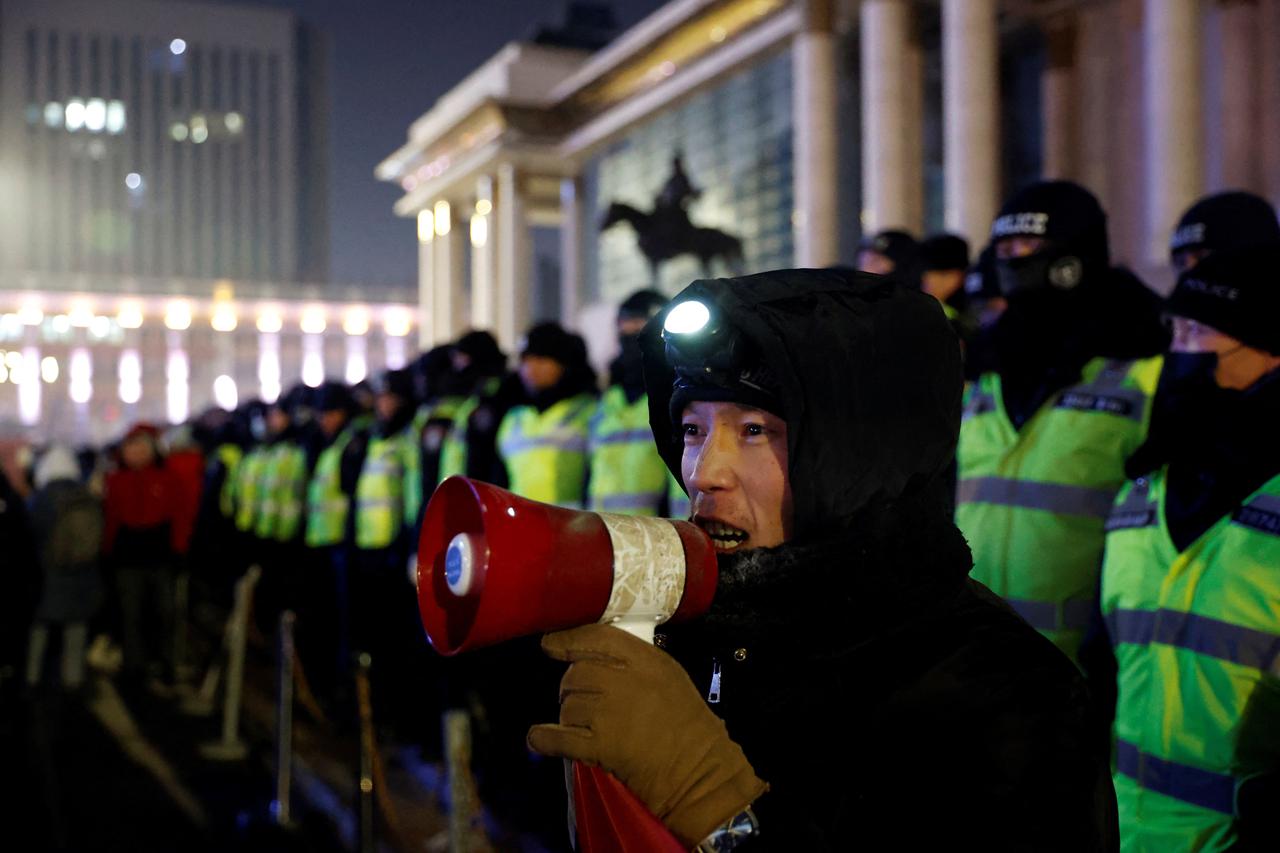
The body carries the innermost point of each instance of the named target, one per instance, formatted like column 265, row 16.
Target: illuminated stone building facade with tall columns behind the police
column 801, row 125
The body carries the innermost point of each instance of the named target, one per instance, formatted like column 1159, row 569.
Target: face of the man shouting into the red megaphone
column 735, row 466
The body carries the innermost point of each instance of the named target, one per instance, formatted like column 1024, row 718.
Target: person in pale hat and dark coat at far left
column 67, row 522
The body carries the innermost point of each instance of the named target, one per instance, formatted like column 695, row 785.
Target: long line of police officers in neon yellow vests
column 1119, row 486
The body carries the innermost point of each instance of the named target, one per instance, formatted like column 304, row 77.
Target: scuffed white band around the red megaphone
column 648, row 573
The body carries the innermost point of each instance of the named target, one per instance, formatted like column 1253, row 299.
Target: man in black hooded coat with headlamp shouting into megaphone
column 851, row 688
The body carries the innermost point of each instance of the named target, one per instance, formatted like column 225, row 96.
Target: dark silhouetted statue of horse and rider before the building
column 668, row 232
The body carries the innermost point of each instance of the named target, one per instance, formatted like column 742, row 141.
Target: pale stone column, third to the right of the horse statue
column 971, row 117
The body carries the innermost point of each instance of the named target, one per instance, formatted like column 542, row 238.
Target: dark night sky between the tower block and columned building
column 390, row 61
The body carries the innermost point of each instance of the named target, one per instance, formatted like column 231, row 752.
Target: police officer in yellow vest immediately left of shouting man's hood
column 628, row 475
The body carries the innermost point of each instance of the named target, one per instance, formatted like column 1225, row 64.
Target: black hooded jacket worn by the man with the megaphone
column 890, row 703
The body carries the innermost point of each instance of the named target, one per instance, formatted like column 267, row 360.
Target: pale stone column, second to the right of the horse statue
column 888, row 122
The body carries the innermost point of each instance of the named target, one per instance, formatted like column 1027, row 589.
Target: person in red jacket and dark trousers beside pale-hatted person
column 144, row 532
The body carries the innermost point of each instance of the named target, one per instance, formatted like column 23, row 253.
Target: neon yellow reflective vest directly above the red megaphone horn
column 546, row 453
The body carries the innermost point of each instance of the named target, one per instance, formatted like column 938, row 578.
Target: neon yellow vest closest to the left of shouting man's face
column 628, row 475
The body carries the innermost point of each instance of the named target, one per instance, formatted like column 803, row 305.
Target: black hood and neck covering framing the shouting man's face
column 867, row 375
